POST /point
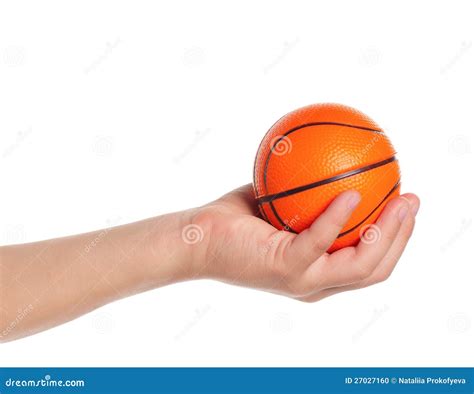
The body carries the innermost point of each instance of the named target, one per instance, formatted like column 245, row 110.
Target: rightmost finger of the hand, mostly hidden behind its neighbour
column 386, row 266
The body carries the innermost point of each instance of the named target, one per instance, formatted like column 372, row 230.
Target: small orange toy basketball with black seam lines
column 313, row 154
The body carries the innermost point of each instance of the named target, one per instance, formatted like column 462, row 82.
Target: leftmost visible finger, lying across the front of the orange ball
column 313, row 242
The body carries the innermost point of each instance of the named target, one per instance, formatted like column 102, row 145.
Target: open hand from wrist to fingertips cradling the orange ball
column 237, row 247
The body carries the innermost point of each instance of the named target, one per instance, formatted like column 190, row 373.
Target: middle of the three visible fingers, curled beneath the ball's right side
column 355, row 264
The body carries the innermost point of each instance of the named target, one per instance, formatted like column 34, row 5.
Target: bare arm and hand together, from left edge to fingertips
column 47, row 283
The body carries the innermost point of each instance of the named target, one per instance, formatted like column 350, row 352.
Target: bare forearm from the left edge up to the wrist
column 47, row 283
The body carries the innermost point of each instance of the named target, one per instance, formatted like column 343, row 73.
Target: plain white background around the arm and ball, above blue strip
column 111, row 112
